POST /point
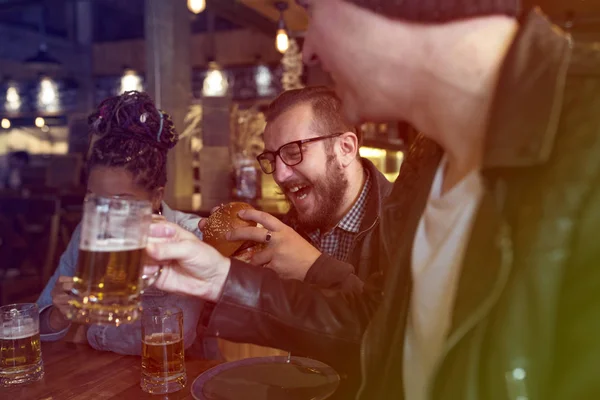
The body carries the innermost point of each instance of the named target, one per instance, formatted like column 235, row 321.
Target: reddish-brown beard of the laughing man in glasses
column 329, row 192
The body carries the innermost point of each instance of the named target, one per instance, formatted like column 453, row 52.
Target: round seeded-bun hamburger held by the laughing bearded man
column 225, row 219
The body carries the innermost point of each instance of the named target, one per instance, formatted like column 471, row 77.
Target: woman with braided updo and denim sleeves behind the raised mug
column 127, row 159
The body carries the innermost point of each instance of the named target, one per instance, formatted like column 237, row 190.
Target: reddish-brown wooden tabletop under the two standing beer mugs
column 78, row 372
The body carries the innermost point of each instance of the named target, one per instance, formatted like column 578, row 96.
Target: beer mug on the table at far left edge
column 20, row 351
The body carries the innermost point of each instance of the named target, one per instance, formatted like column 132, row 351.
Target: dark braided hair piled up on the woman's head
column 132, row 133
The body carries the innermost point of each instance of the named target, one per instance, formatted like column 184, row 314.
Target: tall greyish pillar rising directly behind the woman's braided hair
column 168, row 80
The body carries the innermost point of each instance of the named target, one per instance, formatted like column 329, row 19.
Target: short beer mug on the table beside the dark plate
column 163, row 359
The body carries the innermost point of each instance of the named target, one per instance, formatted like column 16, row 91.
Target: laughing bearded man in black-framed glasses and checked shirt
column 335, row 195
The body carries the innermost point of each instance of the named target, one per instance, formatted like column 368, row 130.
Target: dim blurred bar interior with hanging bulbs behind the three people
column 213, row 65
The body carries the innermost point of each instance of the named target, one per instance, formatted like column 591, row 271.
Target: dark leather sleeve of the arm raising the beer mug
column 260, row 308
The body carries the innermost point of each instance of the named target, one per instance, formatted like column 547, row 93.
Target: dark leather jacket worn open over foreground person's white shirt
column 526, row 318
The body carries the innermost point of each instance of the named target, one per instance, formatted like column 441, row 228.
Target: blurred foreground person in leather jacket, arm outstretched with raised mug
column 496, row 295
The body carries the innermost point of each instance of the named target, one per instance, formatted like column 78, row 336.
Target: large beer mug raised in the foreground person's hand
column 109, row 278
